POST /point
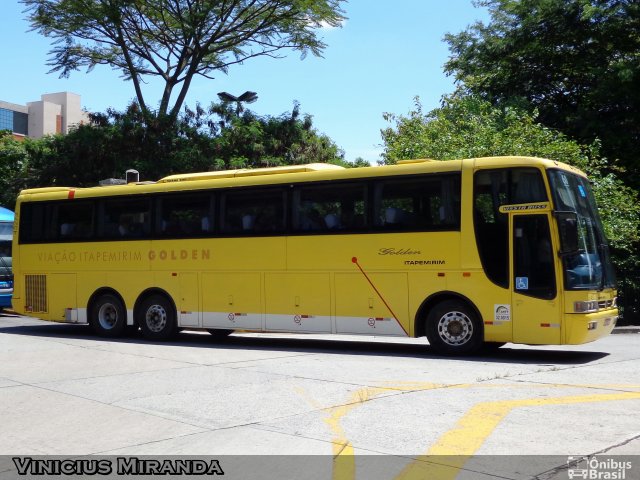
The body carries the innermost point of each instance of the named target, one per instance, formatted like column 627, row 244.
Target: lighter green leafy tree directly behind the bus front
column 468, row 127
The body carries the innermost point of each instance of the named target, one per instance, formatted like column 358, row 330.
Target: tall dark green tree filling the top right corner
column 574, row 61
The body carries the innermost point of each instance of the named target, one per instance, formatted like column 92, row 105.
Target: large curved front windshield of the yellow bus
column 588, row 267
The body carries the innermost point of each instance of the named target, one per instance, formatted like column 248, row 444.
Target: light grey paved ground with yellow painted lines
column 341, row 399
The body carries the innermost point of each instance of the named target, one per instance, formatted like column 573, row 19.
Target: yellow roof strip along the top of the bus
column 286, row 174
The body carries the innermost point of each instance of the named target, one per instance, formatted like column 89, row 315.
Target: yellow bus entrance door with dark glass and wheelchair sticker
column 535, row 301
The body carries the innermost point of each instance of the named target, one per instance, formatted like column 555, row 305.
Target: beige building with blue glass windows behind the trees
column 53, row 113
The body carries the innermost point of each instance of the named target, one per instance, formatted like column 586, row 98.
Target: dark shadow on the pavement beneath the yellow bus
column 349, row 346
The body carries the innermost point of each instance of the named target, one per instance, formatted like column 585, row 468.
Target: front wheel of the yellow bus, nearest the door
column 453, row 328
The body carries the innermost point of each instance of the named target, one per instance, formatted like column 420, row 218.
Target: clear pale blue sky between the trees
column 385, row 54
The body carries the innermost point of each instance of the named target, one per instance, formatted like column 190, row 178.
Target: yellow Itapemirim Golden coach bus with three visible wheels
column 467, row 252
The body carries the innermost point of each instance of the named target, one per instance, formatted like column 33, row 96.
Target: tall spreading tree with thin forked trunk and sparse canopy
column 176, row 40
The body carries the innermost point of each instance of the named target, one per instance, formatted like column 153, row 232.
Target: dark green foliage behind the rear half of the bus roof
column 214, row 138
